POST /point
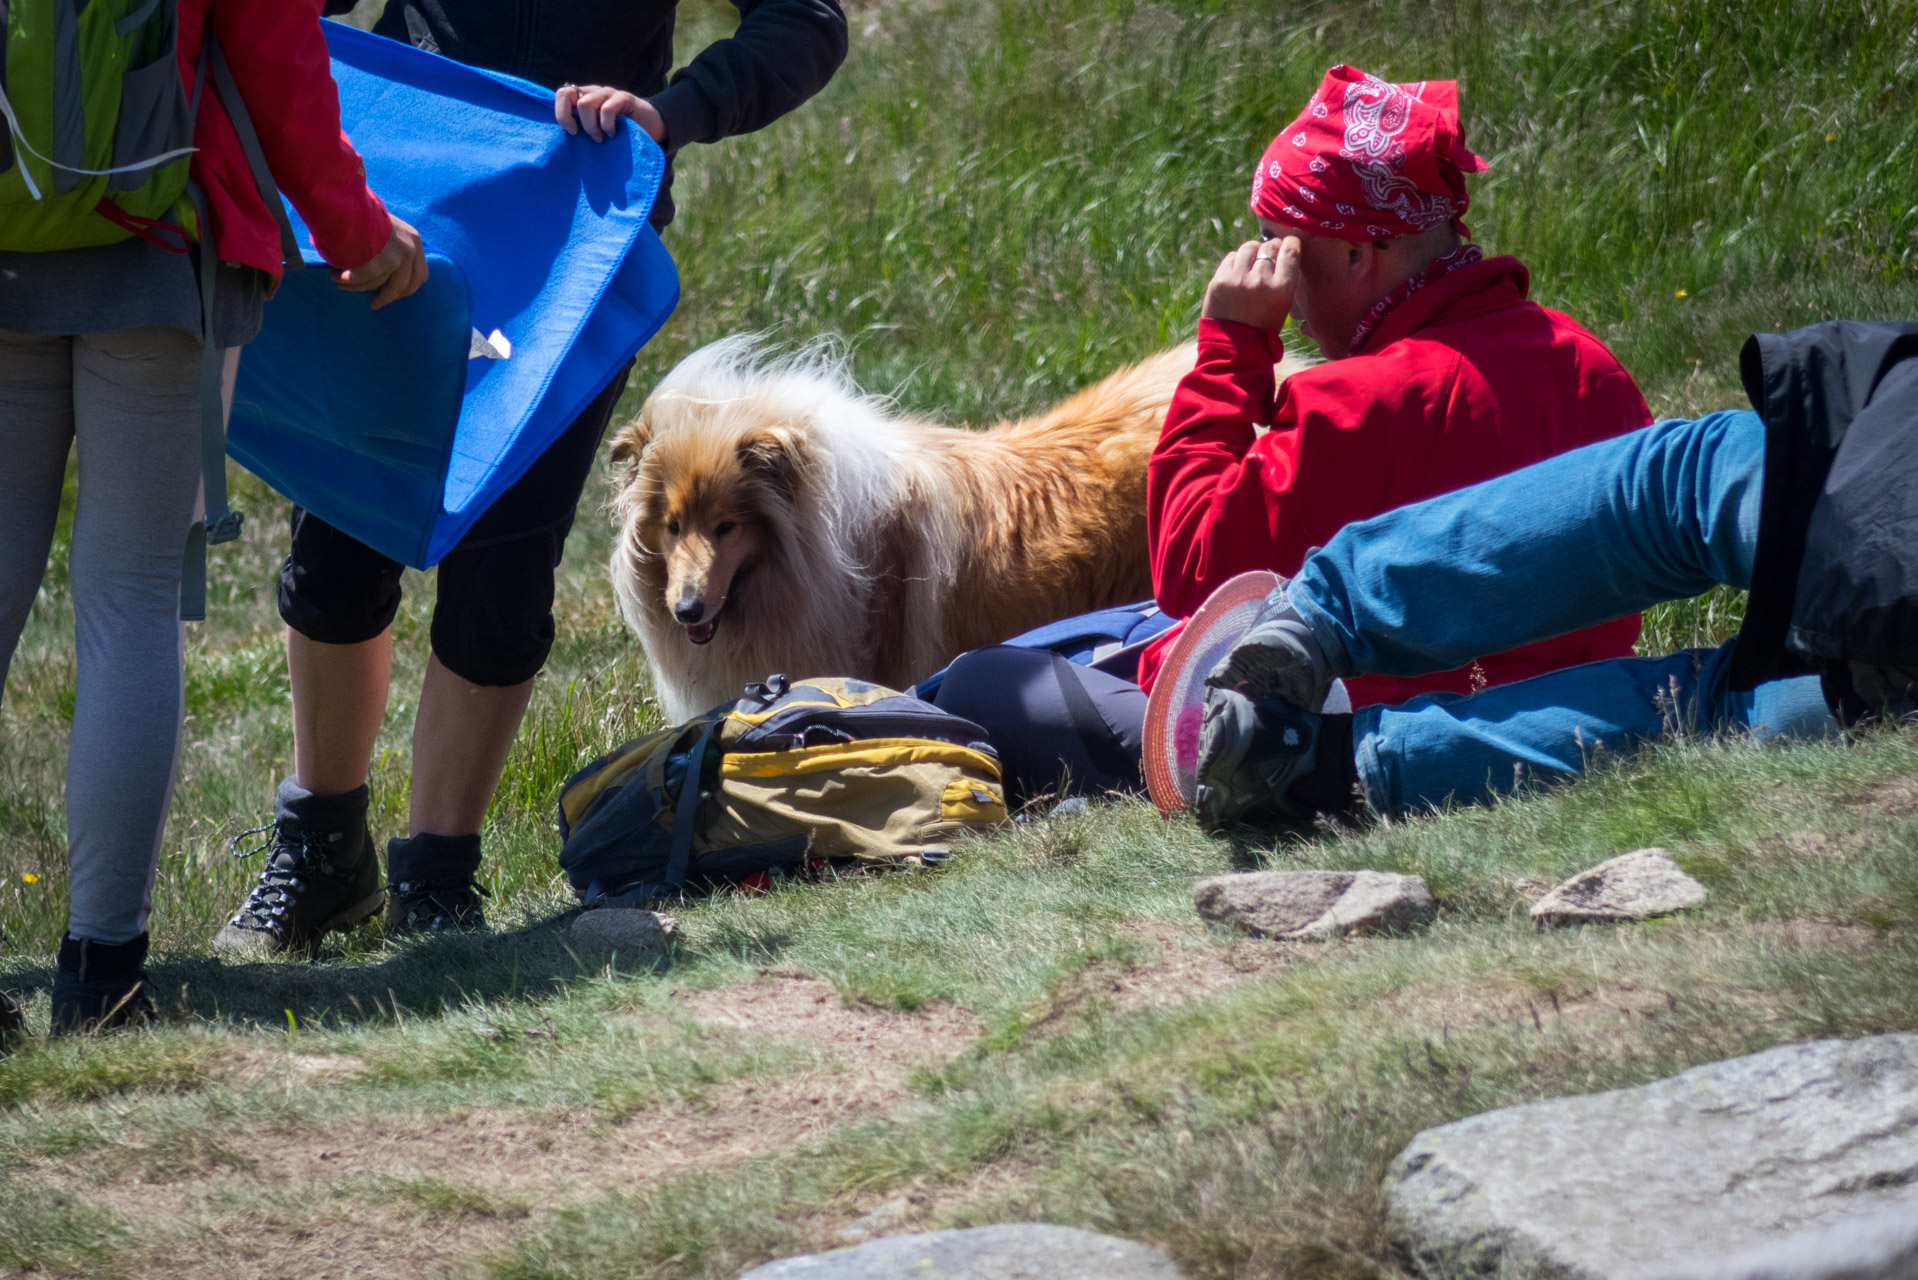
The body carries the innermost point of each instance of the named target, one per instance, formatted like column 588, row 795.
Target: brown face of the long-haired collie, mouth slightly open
column 703, row 510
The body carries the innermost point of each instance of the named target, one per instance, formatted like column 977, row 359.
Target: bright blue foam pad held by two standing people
column 377, row 421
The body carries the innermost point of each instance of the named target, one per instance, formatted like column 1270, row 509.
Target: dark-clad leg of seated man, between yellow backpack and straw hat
column 1058, row 728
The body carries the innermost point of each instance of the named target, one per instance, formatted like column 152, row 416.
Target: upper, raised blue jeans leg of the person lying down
column 1587, row 536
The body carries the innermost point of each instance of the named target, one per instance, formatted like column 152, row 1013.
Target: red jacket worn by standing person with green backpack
column 279, row 60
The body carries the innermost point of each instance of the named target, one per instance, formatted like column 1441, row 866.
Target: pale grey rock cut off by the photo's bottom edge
column 1010, row 1252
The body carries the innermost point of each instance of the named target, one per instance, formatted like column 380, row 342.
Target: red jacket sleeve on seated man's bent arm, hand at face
column 1223, row 500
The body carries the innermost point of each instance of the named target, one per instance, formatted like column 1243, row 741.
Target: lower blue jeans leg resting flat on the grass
column 1470, row 749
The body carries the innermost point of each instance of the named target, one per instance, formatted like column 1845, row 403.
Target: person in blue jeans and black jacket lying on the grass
column 1810, row 502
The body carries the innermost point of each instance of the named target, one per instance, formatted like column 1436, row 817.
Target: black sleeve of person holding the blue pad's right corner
column 784, row 53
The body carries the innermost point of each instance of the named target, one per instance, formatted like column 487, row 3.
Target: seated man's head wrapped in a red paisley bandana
column 1370, row 178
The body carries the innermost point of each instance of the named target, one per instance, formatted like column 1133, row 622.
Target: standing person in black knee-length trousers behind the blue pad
column 494, row 611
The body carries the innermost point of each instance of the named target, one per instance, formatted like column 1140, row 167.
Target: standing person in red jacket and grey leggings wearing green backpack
column 103, row 348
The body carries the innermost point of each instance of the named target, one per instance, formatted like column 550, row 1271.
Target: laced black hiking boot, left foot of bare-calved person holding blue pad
column 323, row 874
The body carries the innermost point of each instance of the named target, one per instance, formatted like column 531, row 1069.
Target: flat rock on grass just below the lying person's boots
column 1315, row 905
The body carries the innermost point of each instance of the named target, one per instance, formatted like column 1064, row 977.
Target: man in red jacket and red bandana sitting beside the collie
column 1439, row 373
